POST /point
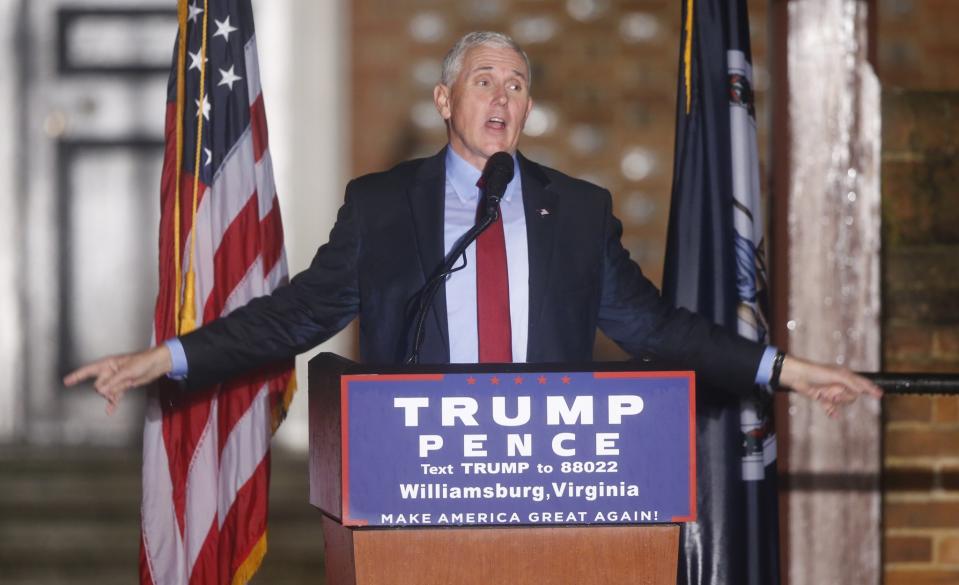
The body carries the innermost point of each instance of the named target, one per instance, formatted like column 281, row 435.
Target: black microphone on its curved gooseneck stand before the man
column 497, row 174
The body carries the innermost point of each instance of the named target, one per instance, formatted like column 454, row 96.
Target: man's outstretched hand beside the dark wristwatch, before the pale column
column 830, row 386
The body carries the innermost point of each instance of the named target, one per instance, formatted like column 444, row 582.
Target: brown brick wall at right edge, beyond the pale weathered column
column 921, row 334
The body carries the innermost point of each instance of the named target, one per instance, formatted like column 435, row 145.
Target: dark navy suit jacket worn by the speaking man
column 388, row 241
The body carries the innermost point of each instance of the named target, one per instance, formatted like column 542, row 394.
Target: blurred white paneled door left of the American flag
column 91, row 89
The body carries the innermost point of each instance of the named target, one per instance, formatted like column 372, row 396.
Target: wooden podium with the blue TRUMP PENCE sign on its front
column 502, row 542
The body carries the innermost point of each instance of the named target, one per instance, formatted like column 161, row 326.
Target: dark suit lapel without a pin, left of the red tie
column 427, row 205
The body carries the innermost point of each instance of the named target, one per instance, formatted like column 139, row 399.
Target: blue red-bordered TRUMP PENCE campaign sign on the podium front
column 518, row 448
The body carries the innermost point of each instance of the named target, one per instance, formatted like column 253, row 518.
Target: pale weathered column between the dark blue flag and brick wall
column 833, row 313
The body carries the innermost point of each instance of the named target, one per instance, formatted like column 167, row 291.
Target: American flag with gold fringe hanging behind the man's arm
column 206, row 454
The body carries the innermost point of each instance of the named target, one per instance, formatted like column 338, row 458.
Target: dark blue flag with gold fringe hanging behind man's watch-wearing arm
column 715, row 265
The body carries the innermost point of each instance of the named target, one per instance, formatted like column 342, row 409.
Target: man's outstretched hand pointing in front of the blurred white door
column 115, row 374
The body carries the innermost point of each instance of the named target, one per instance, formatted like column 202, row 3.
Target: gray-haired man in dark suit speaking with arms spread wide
column 554, row 258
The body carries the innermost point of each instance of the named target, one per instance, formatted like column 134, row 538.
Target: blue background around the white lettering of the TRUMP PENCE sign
column 655, row 450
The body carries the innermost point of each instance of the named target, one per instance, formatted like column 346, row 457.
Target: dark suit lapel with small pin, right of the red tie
column 541, row 206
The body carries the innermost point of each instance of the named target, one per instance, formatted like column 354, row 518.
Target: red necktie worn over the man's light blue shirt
column 492, row 294
